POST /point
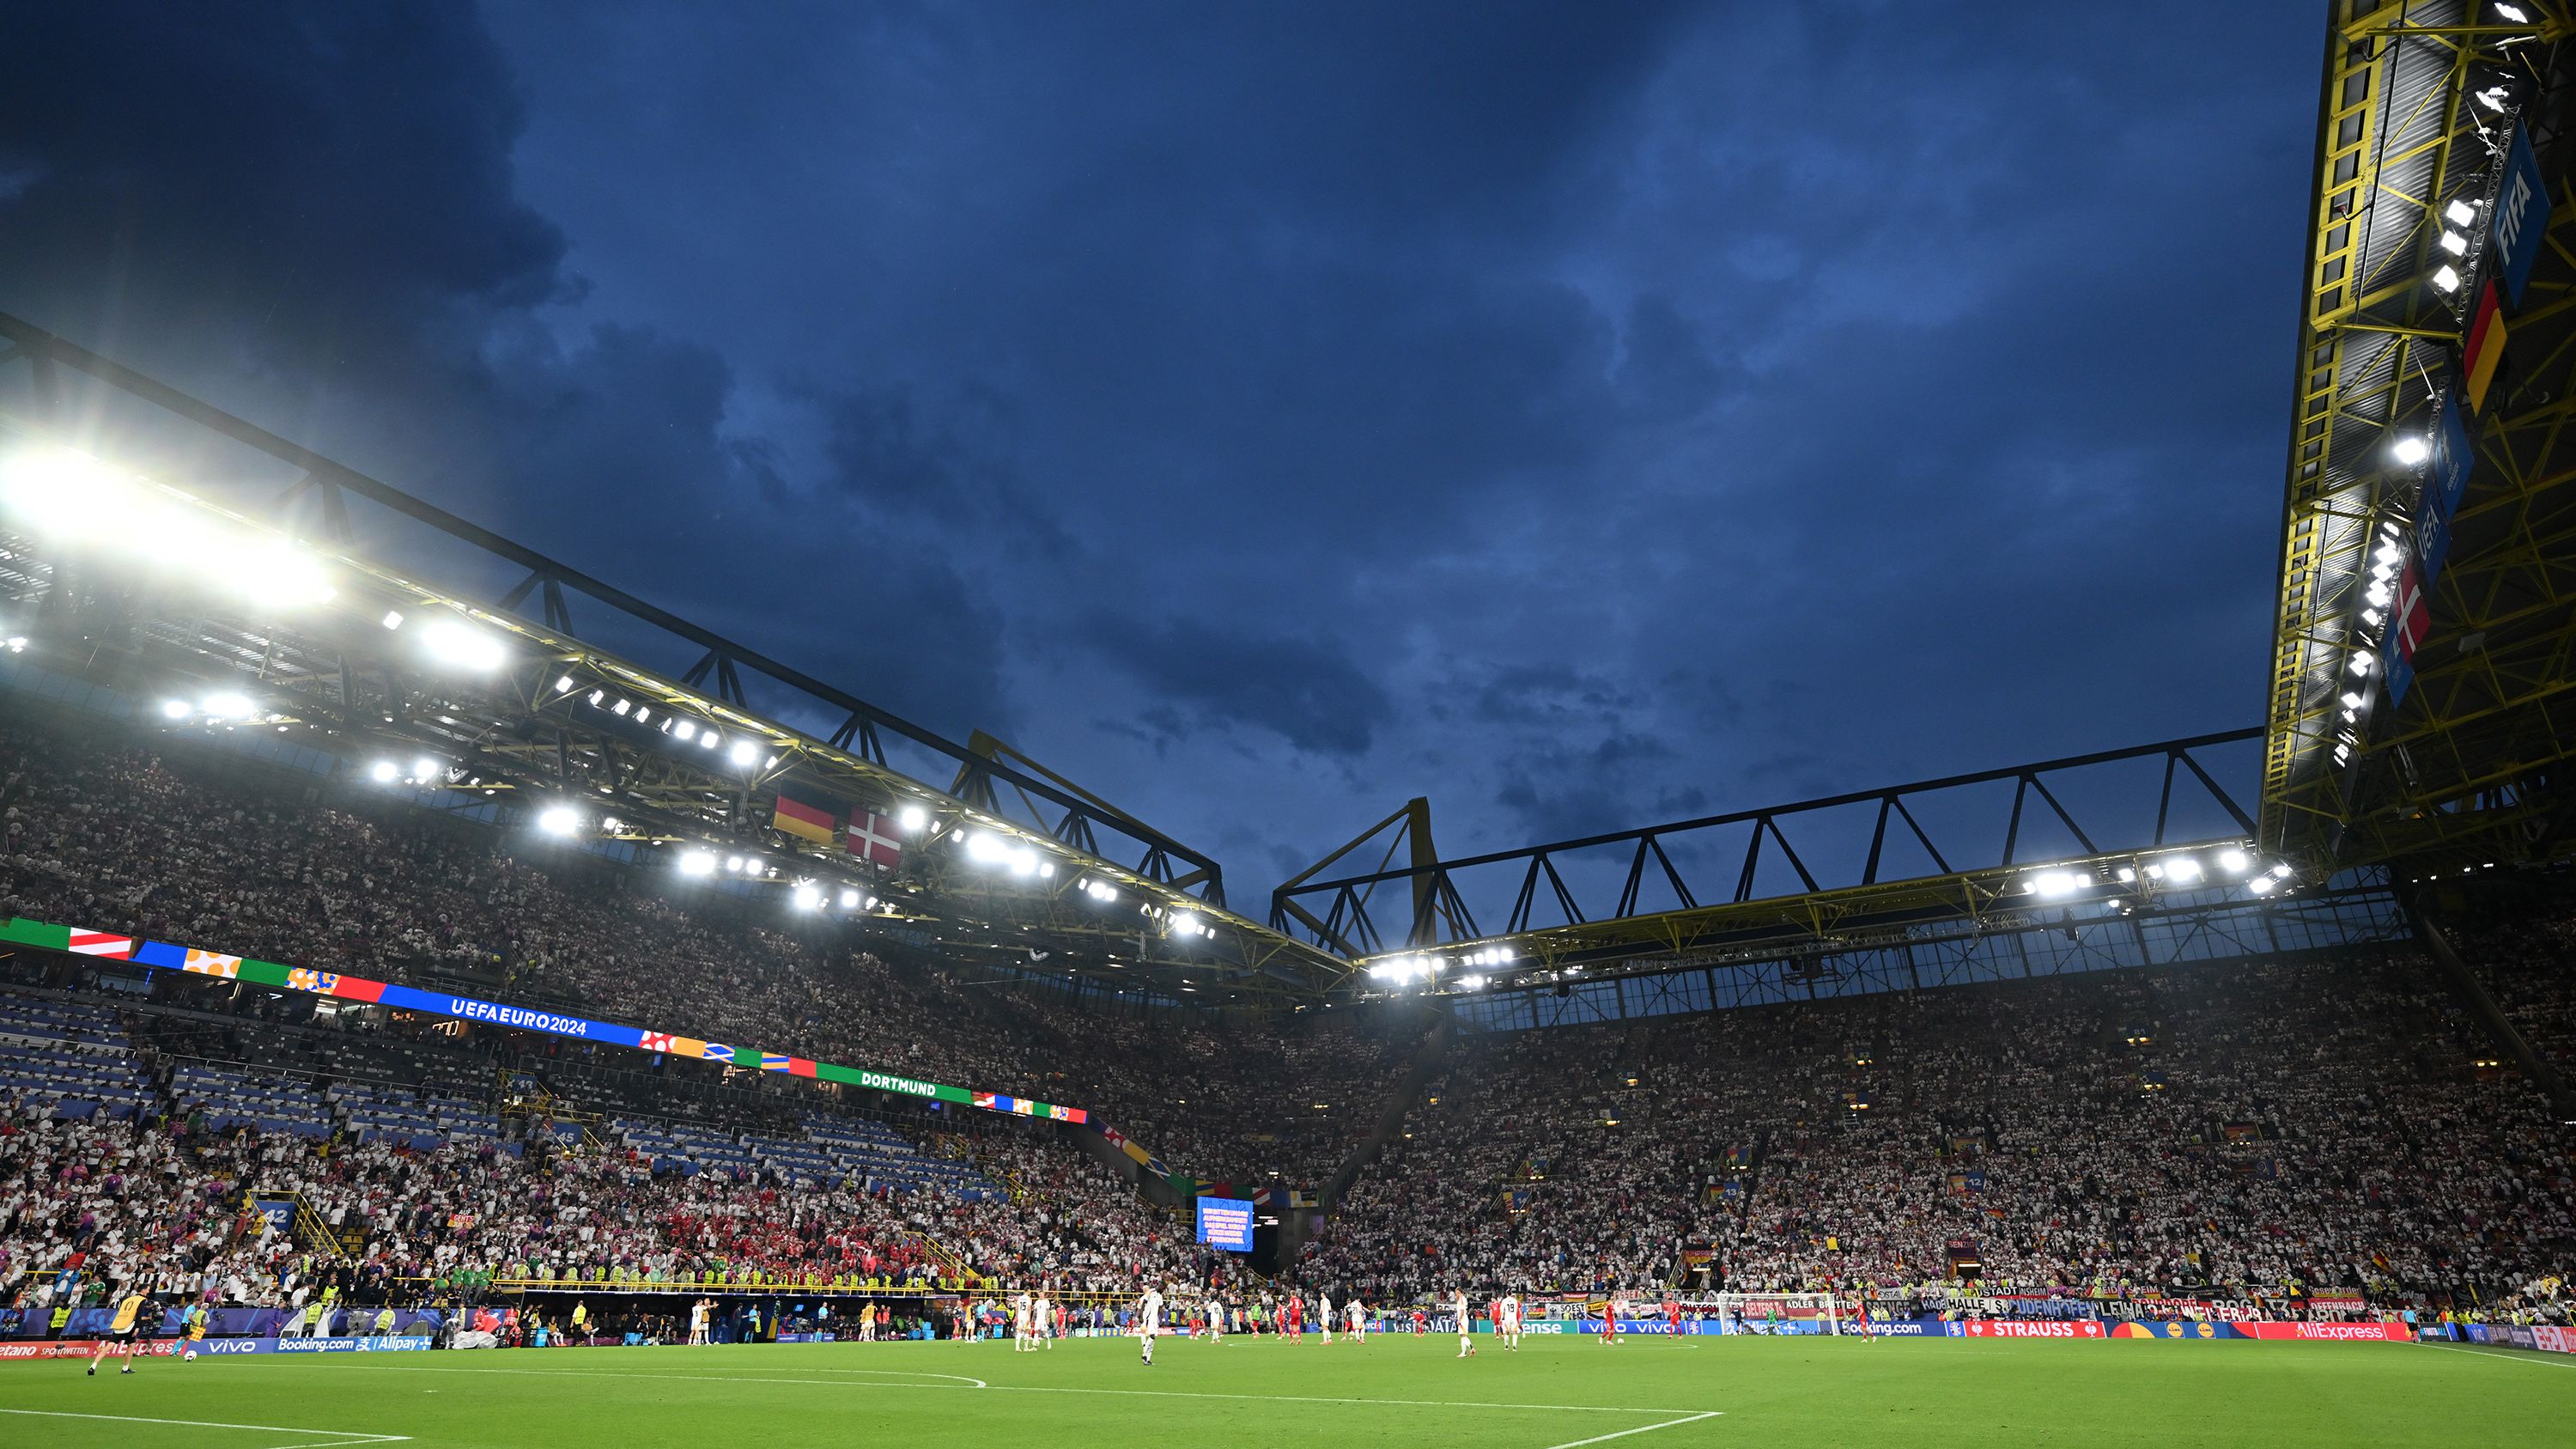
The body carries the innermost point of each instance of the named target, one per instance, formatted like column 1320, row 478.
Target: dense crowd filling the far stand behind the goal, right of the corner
column 2126, row 1133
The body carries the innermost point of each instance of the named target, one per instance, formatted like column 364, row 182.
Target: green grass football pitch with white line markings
column 1650, row 1394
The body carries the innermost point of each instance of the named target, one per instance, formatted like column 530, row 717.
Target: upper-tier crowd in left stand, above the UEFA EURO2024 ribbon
column 171, row 839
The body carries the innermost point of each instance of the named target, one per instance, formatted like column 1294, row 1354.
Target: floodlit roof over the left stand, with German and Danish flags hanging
column 279, row 612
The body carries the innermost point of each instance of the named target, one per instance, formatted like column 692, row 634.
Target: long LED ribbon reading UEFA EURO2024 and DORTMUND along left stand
column 164, row 955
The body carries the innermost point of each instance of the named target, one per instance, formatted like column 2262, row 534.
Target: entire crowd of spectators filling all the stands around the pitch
column 2325, row 1123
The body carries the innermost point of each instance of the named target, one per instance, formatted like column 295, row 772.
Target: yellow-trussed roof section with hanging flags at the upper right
column 2418, row 213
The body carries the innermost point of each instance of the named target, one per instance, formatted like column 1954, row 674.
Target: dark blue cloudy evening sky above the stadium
column 1264, row 414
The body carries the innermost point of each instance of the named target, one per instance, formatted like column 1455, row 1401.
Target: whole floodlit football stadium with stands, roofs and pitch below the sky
column 424, row 955
